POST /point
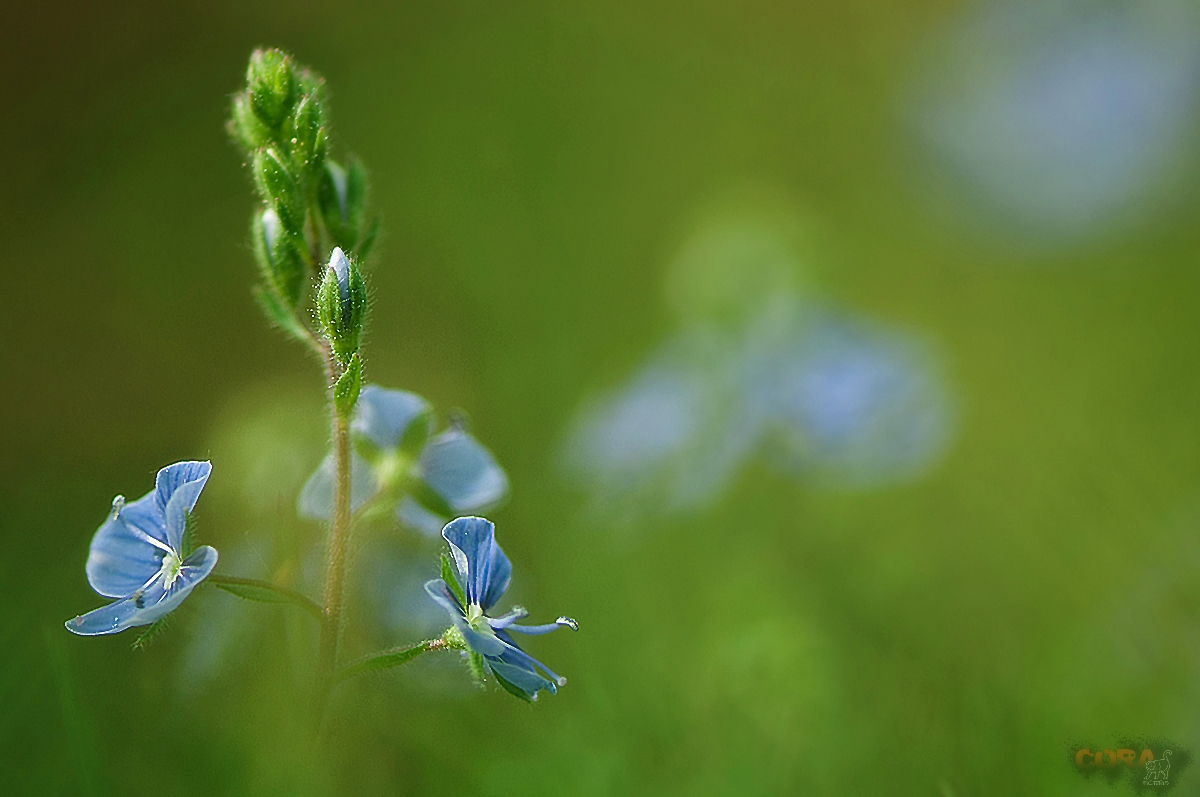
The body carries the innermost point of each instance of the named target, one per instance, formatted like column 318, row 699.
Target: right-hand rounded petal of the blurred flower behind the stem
column 463, row 472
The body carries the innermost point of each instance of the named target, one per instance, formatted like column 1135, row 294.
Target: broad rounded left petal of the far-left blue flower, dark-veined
column 121, row 559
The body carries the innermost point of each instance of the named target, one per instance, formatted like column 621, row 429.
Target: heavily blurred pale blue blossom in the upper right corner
column 1061, row 119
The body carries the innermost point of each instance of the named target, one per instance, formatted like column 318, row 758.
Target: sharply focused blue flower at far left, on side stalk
column 139, row 556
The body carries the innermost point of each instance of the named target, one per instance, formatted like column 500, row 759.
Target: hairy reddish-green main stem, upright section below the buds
column 339, row 538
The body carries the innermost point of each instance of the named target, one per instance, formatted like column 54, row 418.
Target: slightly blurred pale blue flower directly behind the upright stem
column 428, row 480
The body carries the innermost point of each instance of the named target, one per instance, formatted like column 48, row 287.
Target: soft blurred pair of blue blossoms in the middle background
column 830, row 398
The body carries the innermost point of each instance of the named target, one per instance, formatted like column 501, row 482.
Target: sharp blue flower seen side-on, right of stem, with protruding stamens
column 487, row 573
